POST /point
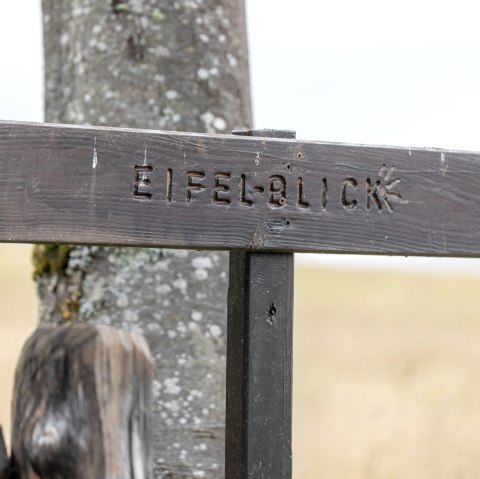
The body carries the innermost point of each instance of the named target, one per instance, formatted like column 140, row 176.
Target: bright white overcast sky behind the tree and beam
column 382, row 72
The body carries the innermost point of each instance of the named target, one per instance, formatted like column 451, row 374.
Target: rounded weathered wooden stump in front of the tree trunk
column 82, row 405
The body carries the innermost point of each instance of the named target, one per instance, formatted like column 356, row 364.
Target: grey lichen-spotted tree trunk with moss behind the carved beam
column 158, row 64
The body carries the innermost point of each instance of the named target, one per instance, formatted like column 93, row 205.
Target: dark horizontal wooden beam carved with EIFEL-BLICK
column 89, row 185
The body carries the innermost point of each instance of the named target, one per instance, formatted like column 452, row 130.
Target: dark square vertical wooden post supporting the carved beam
column 259, row 361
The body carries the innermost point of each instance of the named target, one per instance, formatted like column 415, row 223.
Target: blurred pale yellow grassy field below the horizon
column 386, row 365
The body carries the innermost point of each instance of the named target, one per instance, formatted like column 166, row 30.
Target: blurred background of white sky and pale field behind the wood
column 387, row 356
